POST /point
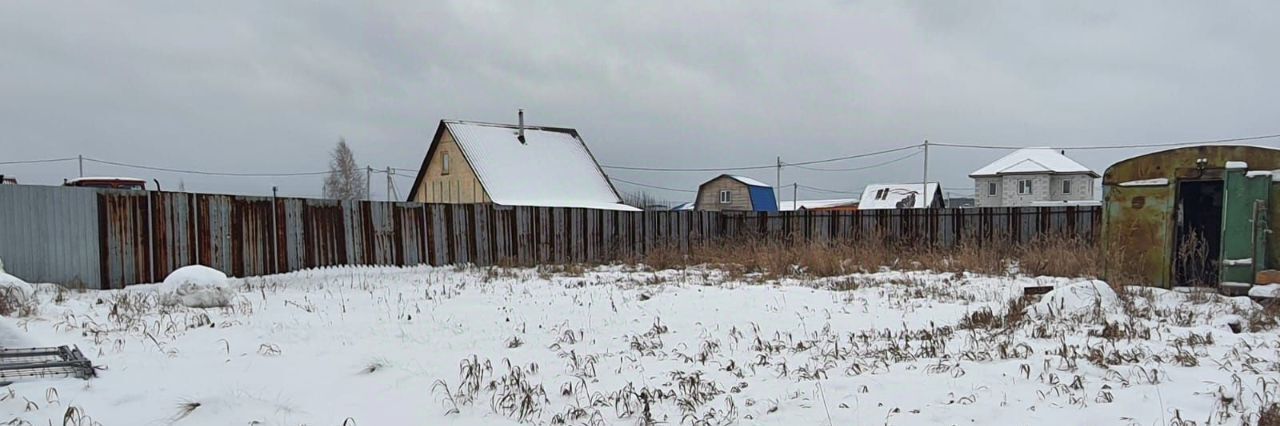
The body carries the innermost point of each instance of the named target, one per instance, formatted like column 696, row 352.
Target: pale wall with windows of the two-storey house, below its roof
column 1044, row 187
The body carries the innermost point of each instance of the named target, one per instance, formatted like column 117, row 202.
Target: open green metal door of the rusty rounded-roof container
column 1245, row 223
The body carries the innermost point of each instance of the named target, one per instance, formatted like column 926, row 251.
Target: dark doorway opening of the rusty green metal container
column 1199, row 242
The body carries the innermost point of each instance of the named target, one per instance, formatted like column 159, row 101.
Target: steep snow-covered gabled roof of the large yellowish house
column 552, row 168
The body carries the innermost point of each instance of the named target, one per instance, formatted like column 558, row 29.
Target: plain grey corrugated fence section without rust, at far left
column 51, row 235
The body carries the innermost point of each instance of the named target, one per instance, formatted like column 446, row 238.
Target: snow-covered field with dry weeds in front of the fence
column 446, row 346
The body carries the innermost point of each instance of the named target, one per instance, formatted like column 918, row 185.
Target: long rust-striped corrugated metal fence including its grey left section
column 106, row 239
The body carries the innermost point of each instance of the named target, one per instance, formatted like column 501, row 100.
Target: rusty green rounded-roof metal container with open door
column 1203, row 216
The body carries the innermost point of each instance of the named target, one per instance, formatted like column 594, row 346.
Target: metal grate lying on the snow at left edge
column 33, row 364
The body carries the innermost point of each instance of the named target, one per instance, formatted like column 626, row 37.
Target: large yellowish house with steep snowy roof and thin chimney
column 513, row 166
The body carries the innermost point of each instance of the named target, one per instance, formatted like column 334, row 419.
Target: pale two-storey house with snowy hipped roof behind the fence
column 1034, row 177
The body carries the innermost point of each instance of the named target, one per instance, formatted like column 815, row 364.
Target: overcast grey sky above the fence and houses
column 271, row 86
